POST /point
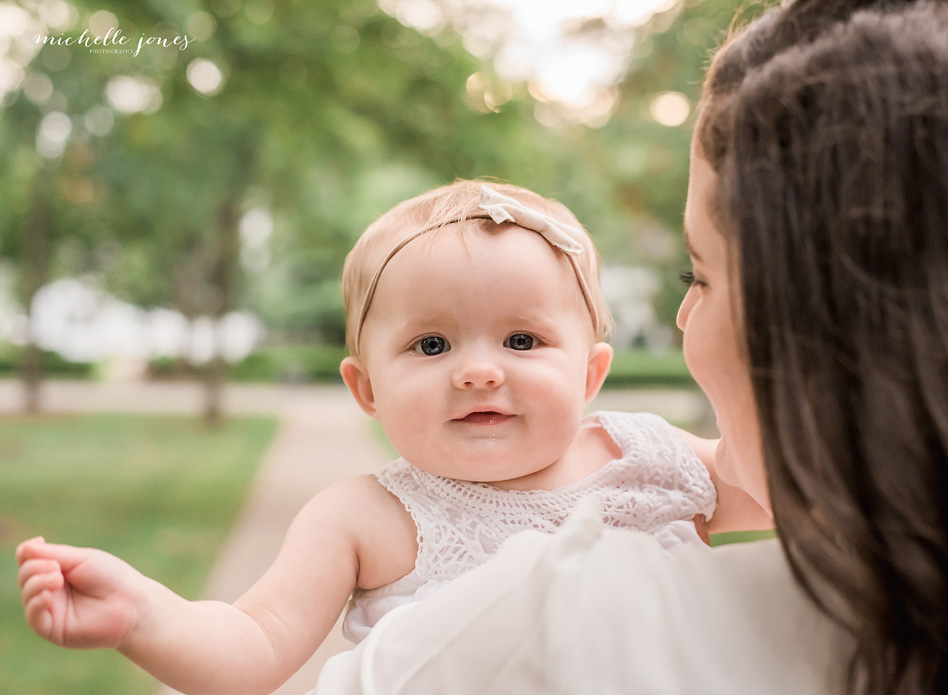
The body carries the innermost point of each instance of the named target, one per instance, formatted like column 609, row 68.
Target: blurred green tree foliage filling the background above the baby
column 324, row 115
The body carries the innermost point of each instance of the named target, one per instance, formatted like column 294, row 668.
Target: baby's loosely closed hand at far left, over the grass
column 77, row 597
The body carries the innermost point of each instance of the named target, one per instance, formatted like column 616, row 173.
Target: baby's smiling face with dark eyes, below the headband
column 477, row 351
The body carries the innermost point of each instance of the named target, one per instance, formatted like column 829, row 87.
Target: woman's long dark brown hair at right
column 827, row 123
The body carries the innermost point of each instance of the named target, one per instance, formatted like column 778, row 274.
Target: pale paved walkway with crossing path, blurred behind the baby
column 323, row 437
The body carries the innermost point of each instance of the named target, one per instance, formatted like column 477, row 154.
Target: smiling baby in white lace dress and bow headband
column 476, row 331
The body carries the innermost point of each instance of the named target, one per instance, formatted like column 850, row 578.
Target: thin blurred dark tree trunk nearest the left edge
column 35, row 274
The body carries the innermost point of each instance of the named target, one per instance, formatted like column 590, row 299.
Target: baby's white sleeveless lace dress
column 658, row 486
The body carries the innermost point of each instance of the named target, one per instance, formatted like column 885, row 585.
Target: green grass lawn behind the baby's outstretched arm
column 159, row 492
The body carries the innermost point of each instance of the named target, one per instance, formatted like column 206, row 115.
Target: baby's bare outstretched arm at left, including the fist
column 84, row 598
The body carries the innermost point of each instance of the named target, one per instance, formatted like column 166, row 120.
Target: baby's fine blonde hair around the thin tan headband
column 451, row 204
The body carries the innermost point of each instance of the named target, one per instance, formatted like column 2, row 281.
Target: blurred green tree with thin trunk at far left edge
column 48, row 193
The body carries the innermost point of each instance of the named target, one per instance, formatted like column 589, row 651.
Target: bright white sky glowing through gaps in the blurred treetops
column 570, row 53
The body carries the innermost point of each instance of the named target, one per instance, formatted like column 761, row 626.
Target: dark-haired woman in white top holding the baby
column 817, row 323
